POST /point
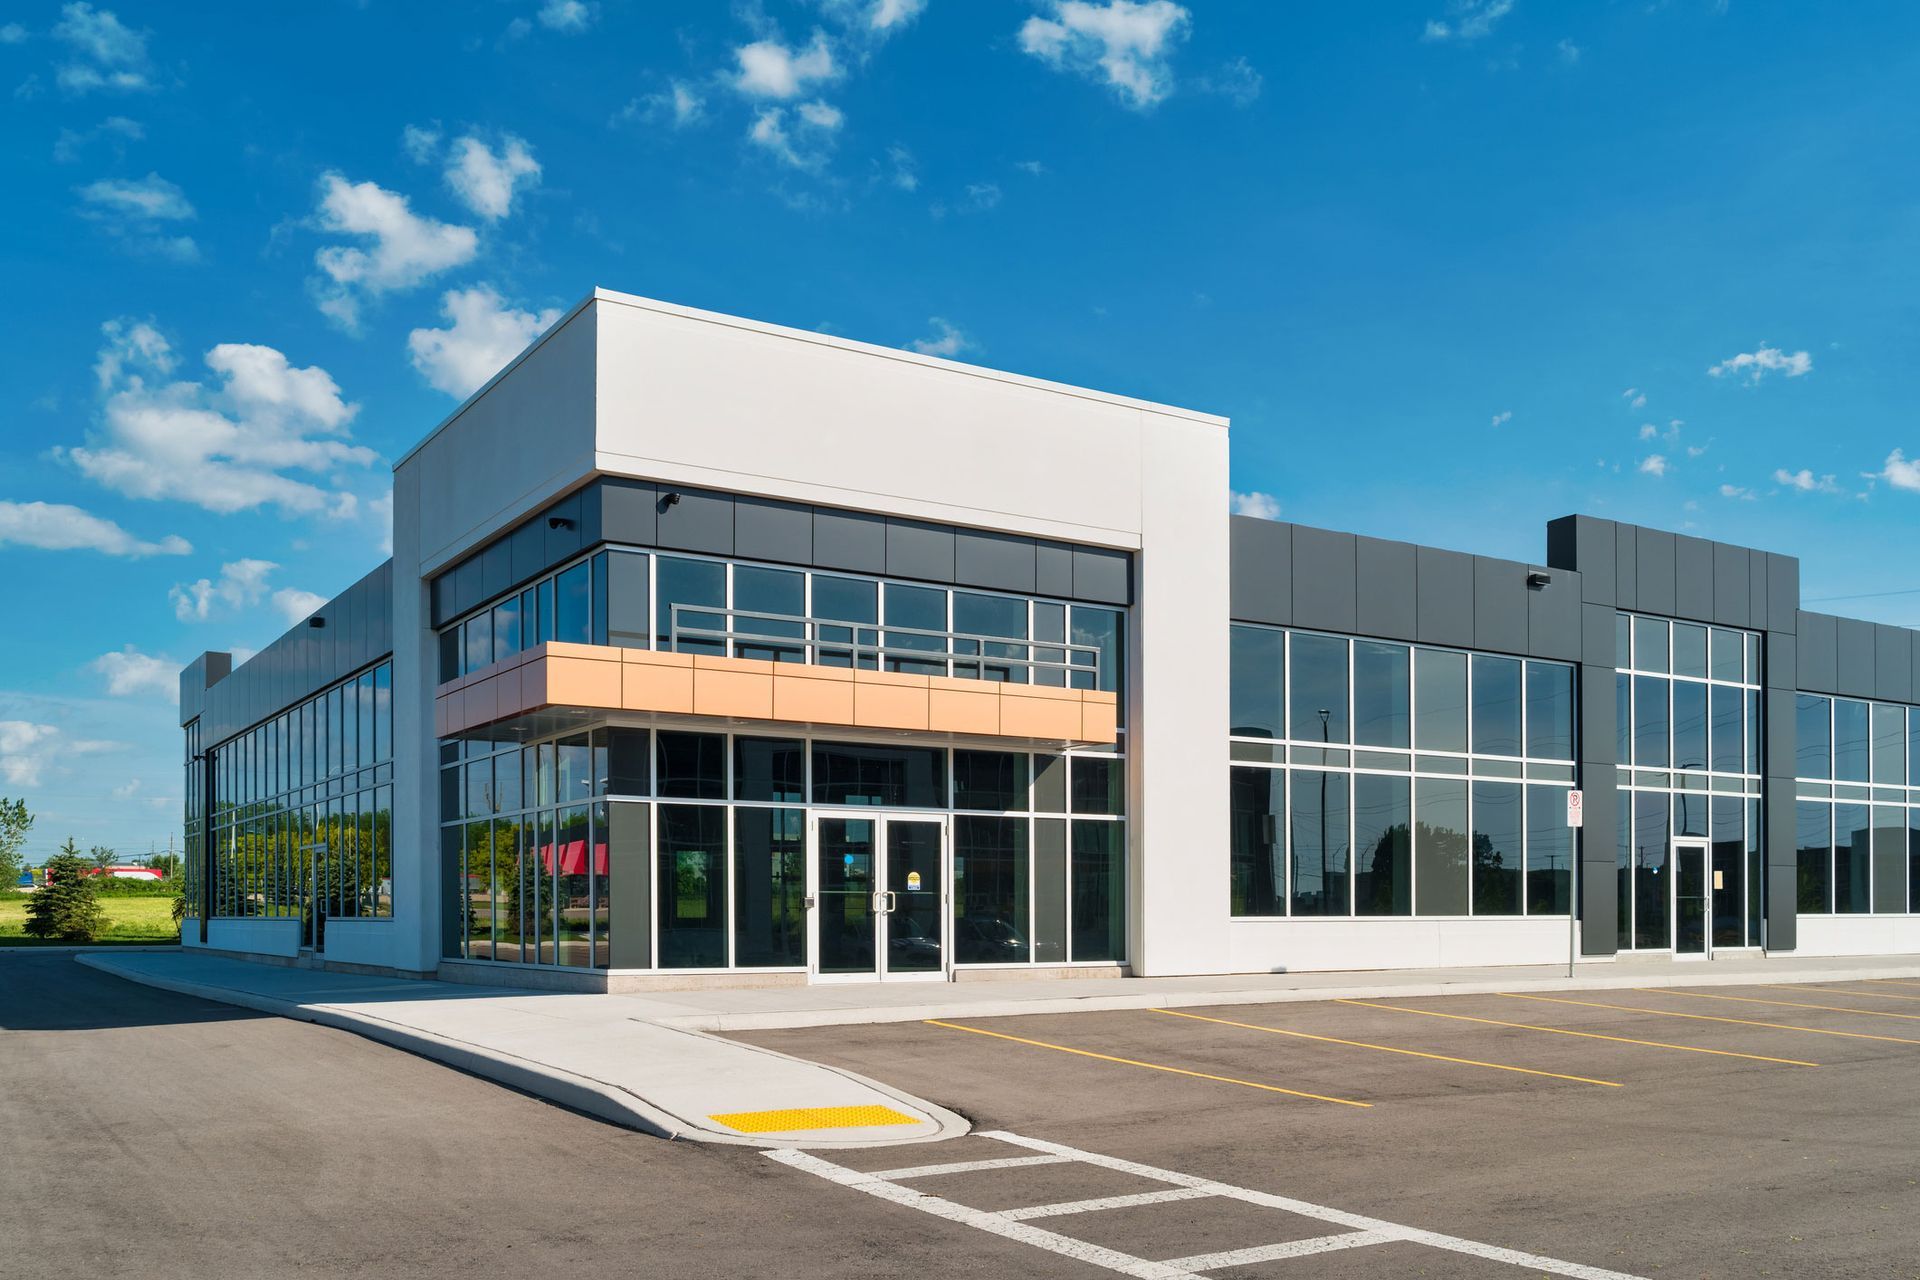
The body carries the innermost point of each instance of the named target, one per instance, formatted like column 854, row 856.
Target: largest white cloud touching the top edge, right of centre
column 1120, row 43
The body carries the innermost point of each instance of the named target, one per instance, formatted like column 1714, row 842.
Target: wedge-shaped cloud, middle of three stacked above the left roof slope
column 402, row 249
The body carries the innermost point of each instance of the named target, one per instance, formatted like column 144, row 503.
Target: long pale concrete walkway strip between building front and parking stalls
column 794, row 1020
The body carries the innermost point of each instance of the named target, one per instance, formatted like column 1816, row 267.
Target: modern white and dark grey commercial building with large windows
column 725, row 653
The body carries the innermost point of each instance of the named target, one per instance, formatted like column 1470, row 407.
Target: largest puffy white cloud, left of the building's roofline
column 224, row 448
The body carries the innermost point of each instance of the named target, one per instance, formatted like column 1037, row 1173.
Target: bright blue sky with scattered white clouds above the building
column 1452, row 268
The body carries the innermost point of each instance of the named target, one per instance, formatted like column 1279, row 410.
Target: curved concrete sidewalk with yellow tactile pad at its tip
column 587, row 1053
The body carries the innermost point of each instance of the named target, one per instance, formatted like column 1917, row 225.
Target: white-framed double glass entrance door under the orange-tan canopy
column 880, row 897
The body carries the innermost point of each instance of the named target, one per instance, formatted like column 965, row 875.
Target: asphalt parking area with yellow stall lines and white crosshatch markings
column 1739, row 1131
